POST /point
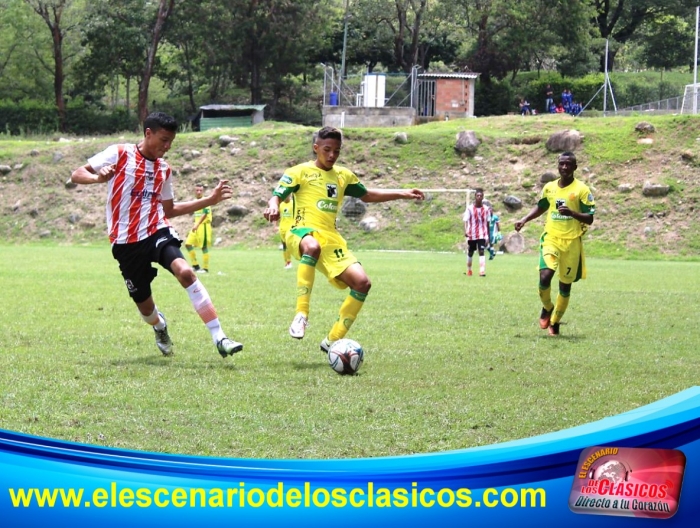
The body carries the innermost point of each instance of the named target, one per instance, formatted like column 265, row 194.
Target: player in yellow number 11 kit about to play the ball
column 319, row 187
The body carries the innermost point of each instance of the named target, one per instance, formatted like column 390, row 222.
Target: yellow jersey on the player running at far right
column 577, row 197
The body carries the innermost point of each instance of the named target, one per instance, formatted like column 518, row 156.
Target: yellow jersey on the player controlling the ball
column 318, row 193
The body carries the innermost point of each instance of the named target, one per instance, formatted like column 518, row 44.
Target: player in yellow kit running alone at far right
column 569, row 205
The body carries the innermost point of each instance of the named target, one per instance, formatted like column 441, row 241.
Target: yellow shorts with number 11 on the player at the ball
column 335, row 256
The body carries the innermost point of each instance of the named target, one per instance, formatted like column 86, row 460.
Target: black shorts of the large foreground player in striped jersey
column 135, row 260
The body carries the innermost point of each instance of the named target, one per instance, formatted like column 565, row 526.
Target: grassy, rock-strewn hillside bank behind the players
column 36, row 205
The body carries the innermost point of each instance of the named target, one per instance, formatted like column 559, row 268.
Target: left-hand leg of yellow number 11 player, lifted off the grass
column 303, row 243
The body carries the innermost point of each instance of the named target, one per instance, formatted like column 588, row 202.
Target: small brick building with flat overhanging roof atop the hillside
column 446, row 95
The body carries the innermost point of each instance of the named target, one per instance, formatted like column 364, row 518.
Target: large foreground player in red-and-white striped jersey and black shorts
column 140, row 200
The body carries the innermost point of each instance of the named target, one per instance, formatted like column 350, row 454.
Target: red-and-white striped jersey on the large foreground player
column 134, row 210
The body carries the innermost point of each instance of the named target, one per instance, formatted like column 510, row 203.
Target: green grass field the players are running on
column 451, row 362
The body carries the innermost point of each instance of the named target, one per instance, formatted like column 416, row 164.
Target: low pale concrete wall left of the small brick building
column 360, row 117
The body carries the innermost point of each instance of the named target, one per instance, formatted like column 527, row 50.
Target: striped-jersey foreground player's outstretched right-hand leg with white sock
column 171, row 258
